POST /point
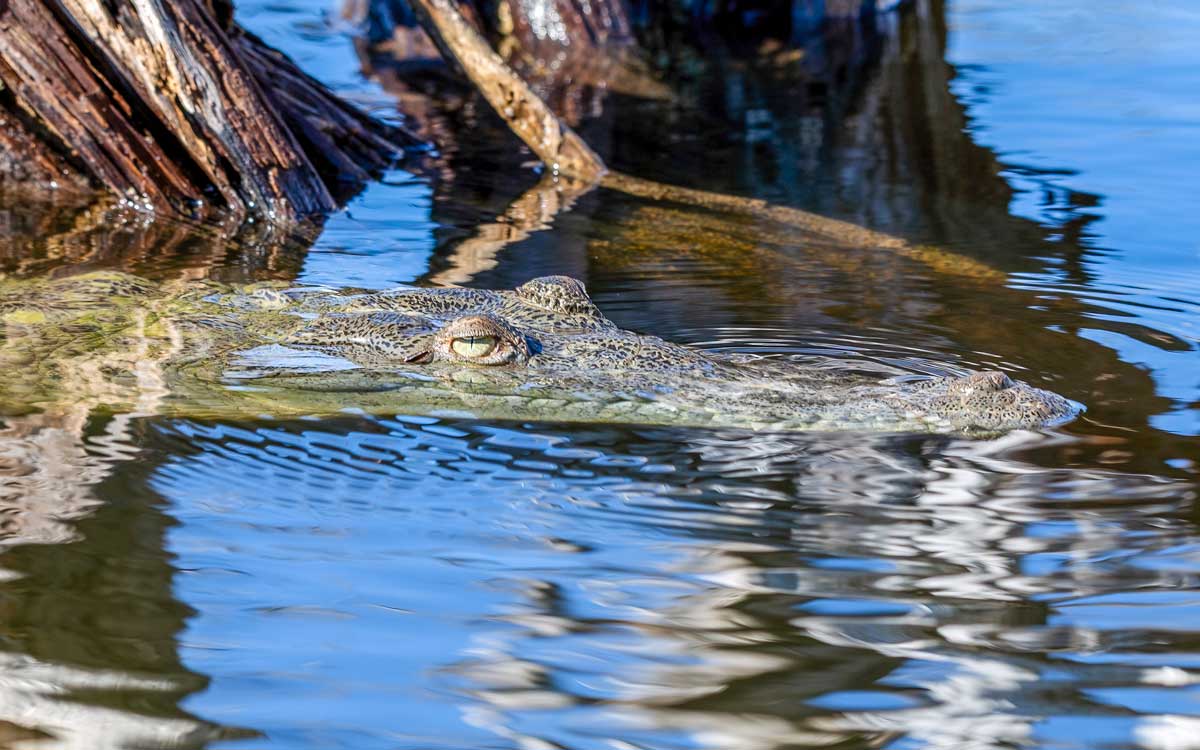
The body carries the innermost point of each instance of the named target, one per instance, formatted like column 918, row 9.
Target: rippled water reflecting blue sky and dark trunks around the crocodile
column 401, row 583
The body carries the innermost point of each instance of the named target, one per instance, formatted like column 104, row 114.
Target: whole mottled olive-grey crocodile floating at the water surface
column 541, row 352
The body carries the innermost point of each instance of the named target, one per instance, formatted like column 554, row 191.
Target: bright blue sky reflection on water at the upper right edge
column 1115, row 191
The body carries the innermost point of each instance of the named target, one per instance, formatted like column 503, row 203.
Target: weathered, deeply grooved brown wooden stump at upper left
column 175, row 107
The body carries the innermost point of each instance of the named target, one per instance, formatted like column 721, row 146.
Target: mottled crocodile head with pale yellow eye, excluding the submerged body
column 544, row 351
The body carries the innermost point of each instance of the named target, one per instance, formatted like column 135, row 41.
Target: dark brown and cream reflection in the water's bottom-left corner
column 88, row 656
